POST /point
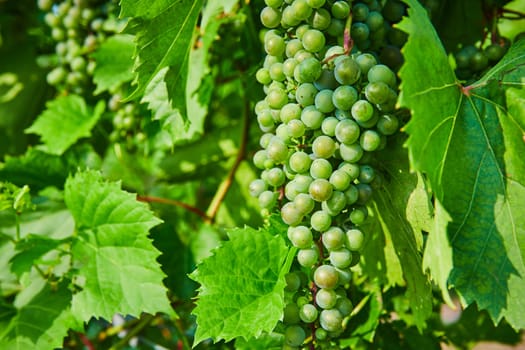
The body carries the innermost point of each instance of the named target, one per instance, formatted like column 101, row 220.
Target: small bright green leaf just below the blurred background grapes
column 66, row 119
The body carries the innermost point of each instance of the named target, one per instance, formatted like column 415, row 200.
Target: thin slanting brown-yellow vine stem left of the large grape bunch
column 225, row 185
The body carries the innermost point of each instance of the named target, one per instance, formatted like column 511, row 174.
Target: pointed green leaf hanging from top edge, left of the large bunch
column 164, row 34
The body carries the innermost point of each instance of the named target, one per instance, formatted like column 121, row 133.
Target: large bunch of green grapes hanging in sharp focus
column 328, row 108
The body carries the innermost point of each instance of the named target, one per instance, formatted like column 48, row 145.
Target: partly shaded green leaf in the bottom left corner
column 42, row 322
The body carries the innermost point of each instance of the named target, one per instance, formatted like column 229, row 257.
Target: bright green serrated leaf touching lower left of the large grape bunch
column 242, row 286
